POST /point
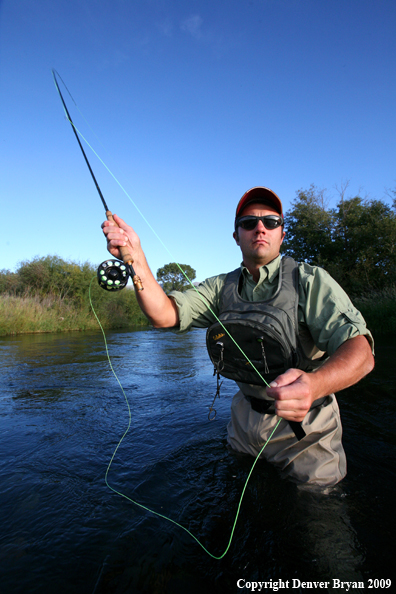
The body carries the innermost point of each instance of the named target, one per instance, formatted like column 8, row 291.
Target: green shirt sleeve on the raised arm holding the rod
column 199, row 307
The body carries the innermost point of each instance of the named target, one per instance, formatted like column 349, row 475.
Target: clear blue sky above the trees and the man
column 189, row 104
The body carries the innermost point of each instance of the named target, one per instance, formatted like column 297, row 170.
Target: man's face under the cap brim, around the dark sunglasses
column 260, row 245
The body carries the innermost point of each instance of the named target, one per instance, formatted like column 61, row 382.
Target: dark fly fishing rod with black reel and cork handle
column 112, row 274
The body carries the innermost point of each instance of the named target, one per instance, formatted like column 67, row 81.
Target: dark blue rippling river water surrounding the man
column 63, row 530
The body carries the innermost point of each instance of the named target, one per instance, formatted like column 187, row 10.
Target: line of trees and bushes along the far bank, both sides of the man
column 355, row 241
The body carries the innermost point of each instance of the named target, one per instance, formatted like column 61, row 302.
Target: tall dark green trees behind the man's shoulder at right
column 355, row 242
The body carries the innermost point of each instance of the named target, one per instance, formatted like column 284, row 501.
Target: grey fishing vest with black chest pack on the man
column 266, row 331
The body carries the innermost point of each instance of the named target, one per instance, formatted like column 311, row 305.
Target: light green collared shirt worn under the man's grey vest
column 324, row 309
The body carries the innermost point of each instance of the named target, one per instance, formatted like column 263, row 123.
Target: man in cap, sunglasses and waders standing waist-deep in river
column 330, row 347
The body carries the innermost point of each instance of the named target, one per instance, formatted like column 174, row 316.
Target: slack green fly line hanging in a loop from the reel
column 124, row 435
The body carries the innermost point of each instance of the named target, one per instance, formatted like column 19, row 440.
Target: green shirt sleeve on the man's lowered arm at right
column 327, row 310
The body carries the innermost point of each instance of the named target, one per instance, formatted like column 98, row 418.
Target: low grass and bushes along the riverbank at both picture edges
column 52, row 295
